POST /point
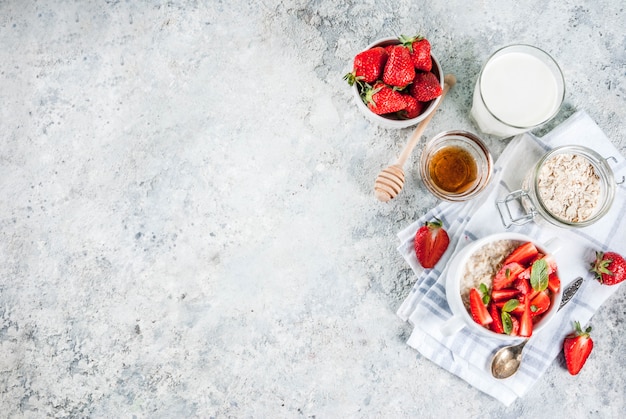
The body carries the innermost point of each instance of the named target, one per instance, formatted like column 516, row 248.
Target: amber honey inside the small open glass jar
column 453, row 169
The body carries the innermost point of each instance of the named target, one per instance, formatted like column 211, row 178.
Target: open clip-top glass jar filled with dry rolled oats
column 570, row 186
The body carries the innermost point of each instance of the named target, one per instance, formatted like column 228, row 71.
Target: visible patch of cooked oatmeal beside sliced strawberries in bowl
column 483, row 264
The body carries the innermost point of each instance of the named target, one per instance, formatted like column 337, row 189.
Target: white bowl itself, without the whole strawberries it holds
column 389, row 122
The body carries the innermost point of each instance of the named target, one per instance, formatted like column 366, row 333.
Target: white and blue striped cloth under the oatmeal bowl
column 467, row 355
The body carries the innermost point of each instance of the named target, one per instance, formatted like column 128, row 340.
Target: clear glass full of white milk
column 519, row 88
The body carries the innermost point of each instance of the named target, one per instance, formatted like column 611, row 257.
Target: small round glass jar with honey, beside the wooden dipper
column 456, row 166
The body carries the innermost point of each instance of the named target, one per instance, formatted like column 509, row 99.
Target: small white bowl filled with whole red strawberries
column 396, row 82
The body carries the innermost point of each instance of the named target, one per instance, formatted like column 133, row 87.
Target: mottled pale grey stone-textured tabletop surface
column 187, row 223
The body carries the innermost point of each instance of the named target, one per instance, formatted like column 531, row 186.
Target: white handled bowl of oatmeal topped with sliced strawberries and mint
column 504, row 286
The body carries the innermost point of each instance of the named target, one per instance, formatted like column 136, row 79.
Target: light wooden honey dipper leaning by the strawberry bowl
column 390, row 181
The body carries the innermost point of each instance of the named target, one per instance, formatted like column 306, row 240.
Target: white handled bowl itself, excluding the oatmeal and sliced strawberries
column 461, row 317
